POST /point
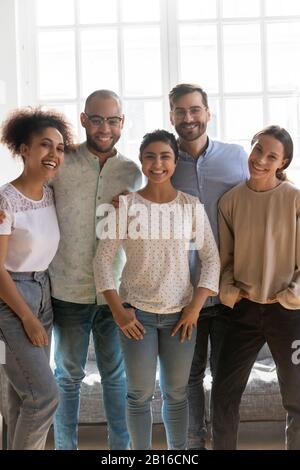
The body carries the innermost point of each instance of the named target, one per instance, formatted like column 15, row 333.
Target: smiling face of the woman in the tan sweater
column 266, row 157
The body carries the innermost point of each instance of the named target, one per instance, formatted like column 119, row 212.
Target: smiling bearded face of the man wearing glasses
column 102, row 137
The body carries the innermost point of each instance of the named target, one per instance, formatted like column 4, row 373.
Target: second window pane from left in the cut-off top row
column 97, row 11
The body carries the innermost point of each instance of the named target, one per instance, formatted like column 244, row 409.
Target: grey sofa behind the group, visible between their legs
column 261, row 400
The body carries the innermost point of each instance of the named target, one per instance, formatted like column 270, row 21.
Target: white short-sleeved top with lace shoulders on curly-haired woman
column 33, row 229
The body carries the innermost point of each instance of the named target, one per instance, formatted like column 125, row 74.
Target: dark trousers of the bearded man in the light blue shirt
column 212, row 325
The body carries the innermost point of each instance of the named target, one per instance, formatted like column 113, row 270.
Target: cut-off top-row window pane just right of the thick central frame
column 196, row 9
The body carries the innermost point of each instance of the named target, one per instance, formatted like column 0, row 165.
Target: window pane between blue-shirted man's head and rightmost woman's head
column 243, row 118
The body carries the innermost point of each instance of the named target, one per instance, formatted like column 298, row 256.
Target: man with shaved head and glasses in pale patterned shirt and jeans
column 92, row 175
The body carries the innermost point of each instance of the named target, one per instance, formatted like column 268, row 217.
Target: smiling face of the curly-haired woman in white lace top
column 44, row 154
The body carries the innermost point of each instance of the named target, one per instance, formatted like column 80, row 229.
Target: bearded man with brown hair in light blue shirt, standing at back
column 206, row 169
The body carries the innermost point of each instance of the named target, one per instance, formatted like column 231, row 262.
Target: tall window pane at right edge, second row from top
column 283, row 52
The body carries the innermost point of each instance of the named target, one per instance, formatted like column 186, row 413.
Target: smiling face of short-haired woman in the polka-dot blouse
column 158, row 162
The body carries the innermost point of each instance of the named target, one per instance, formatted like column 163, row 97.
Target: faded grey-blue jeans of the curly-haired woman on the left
column 32, row 391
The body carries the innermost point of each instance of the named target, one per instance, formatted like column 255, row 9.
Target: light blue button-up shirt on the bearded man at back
column 220, row 167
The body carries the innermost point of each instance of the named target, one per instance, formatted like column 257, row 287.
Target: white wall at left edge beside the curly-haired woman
column 8, row 80
